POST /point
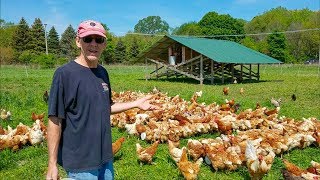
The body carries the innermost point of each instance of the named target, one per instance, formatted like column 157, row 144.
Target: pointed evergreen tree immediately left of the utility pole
column 37, row 43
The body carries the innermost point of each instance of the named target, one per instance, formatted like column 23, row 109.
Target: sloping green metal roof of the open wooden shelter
column 221, row 51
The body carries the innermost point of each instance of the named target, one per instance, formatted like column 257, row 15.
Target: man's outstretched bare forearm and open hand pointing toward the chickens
column 142, row 103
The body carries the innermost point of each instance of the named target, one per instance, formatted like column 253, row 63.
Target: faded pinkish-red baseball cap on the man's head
column 90, row 27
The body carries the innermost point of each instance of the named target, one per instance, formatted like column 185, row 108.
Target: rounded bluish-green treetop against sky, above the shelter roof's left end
column 151, row 25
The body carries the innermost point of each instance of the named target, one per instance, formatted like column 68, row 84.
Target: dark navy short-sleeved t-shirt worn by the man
column 81, row 97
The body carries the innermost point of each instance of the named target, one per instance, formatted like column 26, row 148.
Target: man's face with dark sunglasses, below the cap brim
column 91, row 46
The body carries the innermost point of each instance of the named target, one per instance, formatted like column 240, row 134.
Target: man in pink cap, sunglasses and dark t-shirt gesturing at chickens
column 80, row 104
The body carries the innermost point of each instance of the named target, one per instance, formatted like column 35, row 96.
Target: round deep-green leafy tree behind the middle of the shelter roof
column 214, row 24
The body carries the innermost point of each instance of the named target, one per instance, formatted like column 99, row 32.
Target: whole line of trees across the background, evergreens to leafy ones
column 21, row 44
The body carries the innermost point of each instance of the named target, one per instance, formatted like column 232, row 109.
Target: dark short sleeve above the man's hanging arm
column 56, row 97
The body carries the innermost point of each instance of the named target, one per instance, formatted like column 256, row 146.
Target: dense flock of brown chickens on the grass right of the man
column 251, row 138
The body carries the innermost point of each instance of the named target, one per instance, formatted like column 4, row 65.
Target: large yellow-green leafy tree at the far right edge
column 300, row 45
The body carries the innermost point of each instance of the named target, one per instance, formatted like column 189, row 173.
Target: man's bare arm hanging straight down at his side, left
column 54, row 134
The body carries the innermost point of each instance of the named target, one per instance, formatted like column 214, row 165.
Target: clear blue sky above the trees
column 122, row 16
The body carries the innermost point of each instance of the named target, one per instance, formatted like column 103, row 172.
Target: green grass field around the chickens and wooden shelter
column 22, row 89
